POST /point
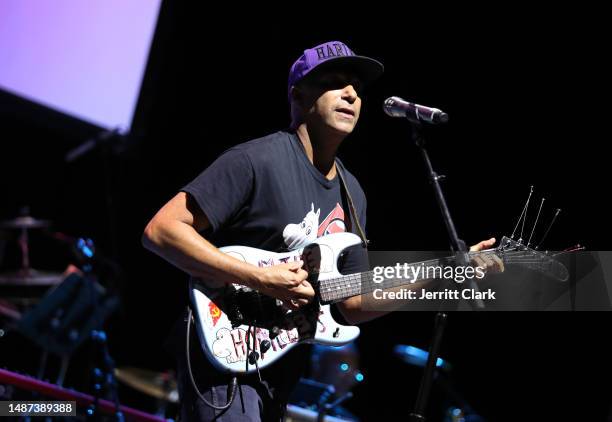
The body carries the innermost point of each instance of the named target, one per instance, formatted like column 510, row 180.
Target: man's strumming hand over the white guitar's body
column 286, row 282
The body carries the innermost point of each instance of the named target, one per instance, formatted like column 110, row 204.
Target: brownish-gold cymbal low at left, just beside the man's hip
column 161, row 385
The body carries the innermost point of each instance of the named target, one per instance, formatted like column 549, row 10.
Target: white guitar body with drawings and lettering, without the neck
column 232, row 322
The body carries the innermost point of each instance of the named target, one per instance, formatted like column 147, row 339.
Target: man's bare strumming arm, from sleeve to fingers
column 173, row 234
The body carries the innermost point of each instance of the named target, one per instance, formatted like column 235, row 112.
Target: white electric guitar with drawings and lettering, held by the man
column 241, row 329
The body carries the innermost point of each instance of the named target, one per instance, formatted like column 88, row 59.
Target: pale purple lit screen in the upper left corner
column 83, row 58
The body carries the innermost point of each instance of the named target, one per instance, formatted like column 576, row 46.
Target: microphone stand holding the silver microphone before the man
column 462, row 258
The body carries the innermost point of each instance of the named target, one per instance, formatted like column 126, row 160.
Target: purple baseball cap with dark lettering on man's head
column 330, row 55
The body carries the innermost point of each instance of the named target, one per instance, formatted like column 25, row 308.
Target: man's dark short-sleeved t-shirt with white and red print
column 267, row 194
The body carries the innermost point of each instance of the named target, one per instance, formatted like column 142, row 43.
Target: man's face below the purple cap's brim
column 331, row 100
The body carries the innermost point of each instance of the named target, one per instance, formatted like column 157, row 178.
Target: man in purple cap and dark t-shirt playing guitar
column 278, row 192
